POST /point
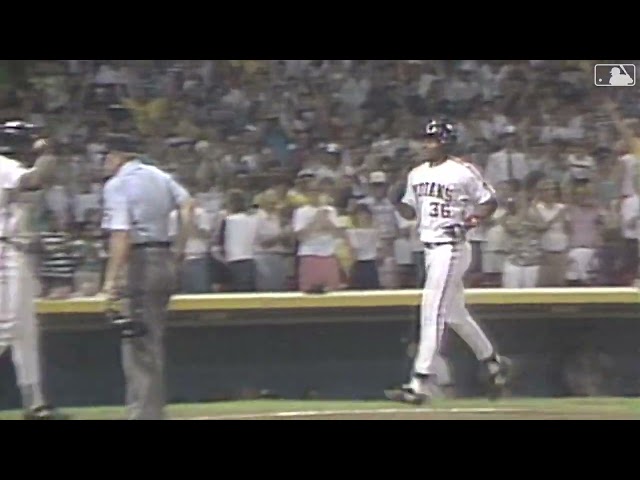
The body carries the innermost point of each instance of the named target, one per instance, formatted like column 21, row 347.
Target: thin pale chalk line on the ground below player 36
column 349, row 413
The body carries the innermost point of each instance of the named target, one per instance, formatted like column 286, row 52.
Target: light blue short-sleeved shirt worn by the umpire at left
column 140, row 198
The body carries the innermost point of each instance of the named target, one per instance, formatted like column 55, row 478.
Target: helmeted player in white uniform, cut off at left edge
column 18, row 285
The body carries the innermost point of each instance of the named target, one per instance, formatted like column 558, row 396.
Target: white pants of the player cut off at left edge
column 18, row 321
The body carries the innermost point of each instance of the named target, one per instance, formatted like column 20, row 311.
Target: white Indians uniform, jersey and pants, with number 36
column 443, row 195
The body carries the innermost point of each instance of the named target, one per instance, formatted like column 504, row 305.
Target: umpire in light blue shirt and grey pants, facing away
column 138, row 200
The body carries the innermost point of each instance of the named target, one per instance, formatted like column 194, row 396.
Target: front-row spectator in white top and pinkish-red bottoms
column 316, row 228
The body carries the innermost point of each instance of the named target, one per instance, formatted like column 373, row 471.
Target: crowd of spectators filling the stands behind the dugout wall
column 297, row 166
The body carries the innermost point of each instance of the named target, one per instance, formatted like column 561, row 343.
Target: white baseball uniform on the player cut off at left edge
column 18, row 288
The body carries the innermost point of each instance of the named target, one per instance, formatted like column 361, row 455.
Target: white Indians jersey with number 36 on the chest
column 444, row 195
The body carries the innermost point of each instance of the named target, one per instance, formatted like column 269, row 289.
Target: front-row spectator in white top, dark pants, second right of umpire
column 236, row 240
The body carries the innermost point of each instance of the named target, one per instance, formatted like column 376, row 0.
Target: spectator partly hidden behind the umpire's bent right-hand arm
column 195, row 274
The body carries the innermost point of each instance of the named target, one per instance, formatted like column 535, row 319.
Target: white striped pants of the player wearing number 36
column 443, row 303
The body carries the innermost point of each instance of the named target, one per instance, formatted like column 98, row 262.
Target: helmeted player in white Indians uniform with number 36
column 448, row 197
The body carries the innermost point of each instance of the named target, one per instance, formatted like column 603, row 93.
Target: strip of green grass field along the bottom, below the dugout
column 512, row 409
